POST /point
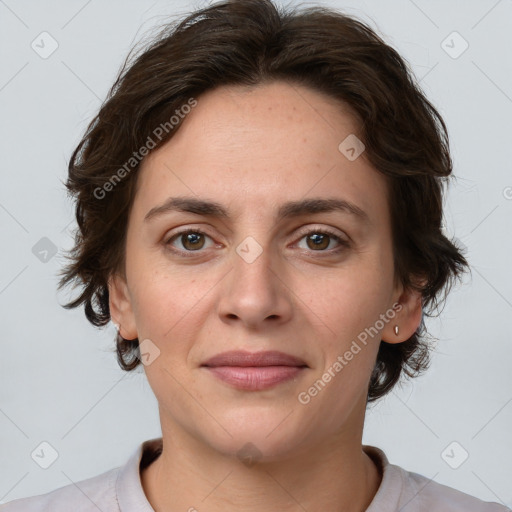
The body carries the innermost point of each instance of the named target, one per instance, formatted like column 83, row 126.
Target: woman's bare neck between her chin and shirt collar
column 333, row 475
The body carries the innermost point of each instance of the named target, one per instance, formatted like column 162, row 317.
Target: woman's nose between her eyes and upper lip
column 255, row 291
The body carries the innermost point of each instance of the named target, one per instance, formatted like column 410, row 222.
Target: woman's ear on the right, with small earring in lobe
column 408, row 314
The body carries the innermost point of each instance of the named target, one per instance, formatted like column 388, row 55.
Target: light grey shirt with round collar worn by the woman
column 120, row 490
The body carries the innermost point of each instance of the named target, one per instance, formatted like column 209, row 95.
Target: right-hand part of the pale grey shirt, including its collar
column 411, row 492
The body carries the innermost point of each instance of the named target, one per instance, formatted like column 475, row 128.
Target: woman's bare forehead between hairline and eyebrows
column 263, row 145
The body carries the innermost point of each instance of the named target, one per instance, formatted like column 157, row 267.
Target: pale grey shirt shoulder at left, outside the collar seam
column 92, row 494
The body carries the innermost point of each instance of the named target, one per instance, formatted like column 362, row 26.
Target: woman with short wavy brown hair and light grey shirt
column 259, row 206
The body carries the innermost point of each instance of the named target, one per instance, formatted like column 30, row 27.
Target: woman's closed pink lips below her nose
column 254, row 371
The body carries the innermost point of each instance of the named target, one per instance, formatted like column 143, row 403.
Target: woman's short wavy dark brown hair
column 250, row 42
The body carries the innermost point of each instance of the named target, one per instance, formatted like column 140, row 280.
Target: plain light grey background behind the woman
column 59, row 381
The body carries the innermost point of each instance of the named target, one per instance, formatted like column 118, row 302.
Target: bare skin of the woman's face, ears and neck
column 252, row 149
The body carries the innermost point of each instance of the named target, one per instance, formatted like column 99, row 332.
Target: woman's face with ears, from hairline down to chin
column 307, row 284
